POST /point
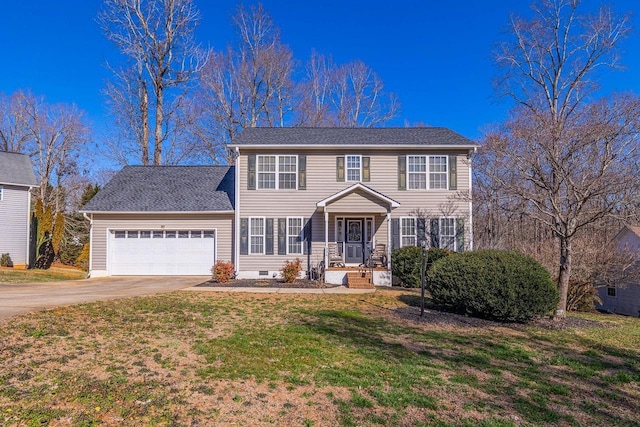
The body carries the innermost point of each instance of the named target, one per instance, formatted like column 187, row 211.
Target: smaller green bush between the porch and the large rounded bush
column 405, row 263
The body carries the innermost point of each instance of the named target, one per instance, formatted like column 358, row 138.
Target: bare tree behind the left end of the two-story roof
column 247, row 85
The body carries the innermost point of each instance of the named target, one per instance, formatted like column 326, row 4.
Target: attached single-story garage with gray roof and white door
column 162, row 220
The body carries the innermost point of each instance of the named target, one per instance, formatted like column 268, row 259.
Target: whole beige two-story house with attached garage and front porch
column 332, row 197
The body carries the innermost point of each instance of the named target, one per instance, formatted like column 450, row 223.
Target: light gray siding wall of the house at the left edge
column 14, row 223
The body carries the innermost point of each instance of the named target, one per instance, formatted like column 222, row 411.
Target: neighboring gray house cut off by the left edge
column 16, row 181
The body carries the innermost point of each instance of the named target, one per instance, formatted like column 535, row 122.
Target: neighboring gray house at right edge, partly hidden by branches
column 623, row 299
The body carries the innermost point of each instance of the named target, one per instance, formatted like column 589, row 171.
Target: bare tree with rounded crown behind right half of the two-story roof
column 350, row 95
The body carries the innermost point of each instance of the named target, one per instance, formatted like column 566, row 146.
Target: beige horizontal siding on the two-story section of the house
column 321, row 183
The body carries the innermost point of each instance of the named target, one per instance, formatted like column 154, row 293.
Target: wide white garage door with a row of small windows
column 161, row 252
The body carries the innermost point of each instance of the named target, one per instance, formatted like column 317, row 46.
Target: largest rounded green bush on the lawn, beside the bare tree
column 500, row 285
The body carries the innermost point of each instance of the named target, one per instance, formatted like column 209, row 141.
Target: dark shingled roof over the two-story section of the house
column 378, row 137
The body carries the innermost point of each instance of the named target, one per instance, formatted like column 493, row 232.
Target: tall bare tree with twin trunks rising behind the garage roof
column 158, row 38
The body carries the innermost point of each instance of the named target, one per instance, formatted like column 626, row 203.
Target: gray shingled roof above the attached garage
column 163, row 189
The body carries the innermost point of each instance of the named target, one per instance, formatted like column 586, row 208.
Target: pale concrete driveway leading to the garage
column 20, row 298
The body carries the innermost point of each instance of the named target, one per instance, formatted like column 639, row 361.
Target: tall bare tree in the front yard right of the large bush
column 564, row 157
